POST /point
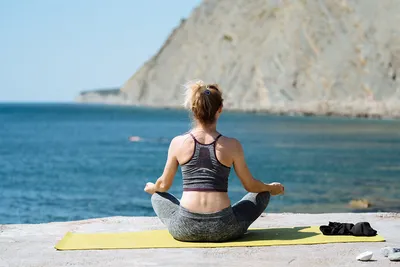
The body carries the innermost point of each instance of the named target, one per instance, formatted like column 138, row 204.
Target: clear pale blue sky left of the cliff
column 50, row 50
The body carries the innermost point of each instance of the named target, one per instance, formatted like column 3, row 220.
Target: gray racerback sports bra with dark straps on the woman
column 203, row 171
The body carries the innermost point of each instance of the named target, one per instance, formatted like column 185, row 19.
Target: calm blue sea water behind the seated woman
column 69, row 162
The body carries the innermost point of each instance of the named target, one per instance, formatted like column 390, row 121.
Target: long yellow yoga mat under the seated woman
column 162, row 239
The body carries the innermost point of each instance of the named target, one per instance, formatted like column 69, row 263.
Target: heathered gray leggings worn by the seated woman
column 227, row 224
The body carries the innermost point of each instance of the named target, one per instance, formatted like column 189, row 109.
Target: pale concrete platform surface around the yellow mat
column 33, row 245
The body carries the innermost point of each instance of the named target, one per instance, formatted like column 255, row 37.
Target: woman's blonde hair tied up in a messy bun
column 203, row 100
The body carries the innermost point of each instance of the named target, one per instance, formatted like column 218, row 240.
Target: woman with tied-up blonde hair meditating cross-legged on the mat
column 204, row 212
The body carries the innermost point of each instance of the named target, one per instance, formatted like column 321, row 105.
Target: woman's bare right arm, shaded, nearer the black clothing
column 249, row 182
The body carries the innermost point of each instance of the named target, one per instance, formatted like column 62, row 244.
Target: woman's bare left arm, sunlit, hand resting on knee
column 171, row 166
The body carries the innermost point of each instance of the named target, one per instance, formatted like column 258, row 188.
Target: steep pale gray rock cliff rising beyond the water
column 301, row 56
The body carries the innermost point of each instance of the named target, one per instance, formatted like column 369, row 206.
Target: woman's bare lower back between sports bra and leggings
column 205, row 202
